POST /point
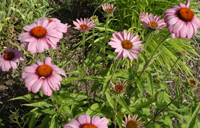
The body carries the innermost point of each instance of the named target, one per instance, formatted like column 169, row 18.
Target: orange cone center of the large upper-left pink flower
column 38, row 32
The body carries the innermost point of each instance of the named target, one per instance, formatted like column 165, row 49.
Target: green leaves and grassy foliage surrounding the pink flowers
column 146, row 88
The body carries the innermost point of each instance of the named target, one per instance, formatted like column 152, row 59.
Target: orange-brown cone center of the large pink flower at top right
column 185, row 14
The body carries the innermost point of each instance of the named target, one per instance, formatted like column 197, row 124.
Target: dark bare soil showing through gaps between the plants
column 11, row 84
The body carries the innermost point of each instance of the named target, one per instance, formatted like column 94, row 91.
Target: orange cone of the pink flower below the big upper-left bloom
column 44, row 70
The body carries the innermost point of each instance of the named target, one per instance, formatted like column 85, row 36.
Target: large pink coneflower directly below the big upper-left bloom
column 44, row 76
